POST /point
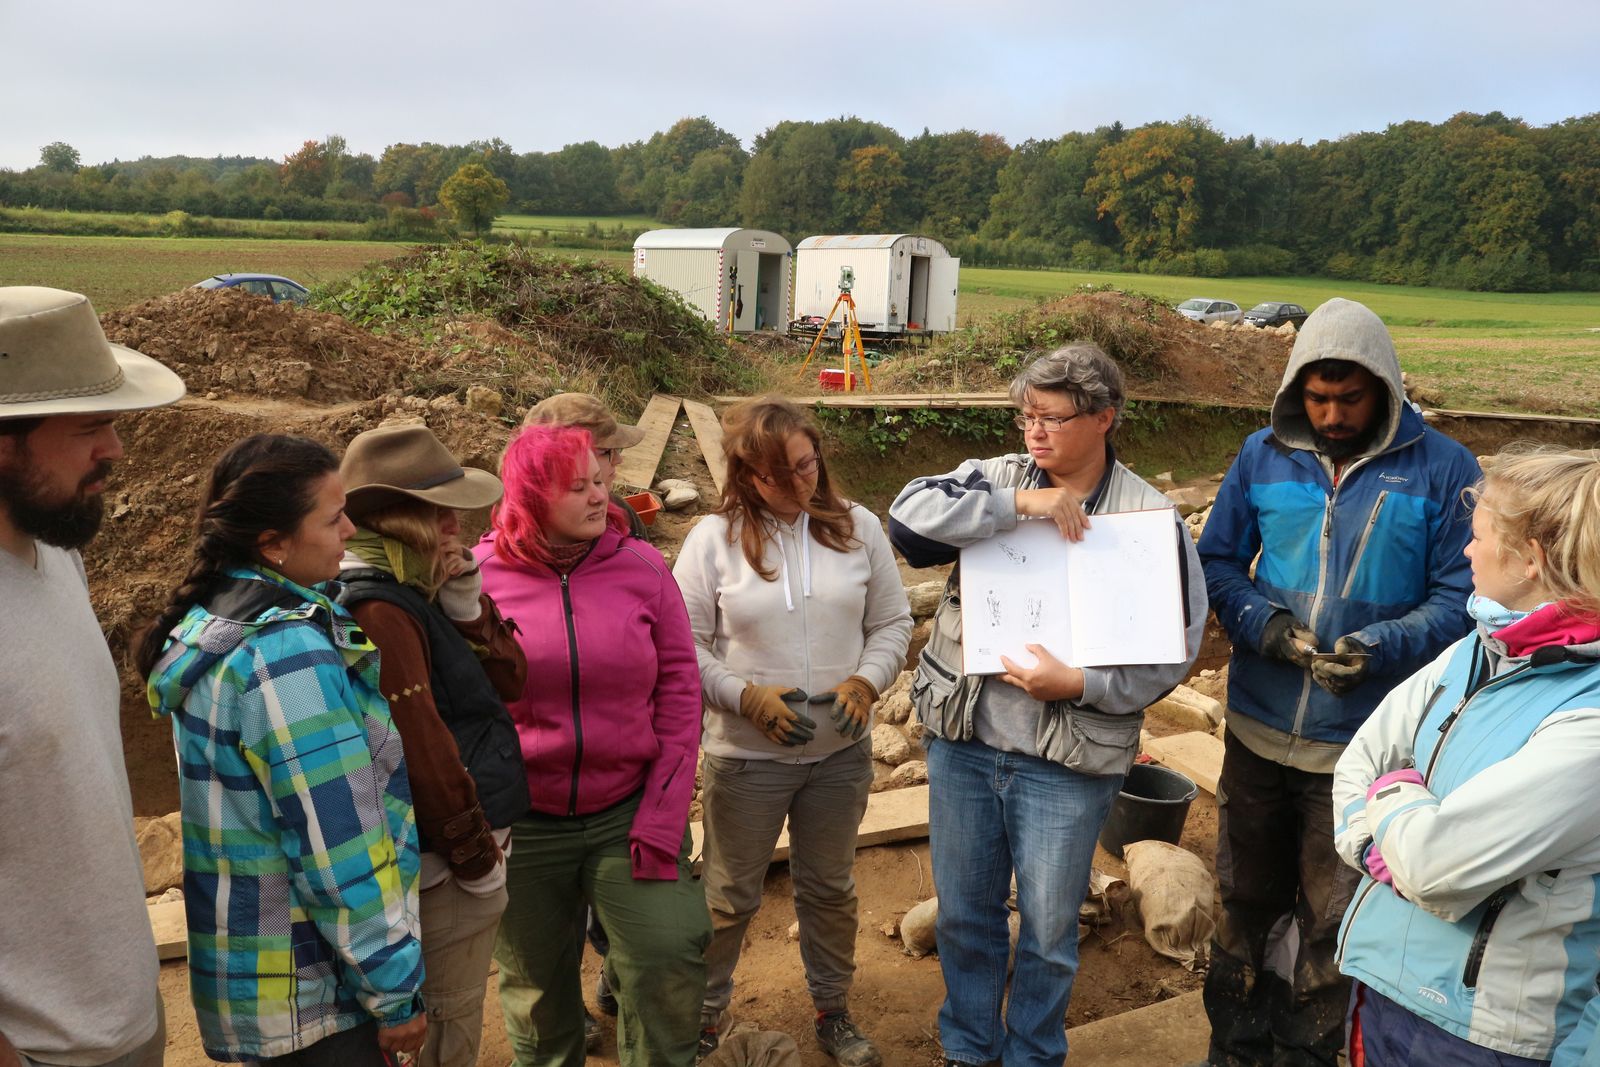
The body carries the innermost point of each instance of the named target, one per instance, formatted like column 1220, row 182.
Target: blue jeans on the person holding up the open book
column 990, row 815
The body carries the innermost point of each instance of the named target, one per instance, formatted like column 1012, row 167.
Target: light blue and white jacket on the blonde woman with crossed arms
column 1492, row 930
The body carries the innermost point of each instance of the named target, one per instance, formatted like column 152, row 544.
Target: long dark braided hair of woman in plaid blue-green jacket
column 263, row 482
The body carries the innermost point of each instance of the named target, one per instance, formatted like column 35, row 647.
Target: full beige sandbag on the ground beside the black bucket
column 1175, row 895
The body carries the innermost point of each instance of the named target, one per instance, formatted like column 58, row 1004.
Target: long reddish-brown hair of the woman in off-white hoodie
column 756, row 436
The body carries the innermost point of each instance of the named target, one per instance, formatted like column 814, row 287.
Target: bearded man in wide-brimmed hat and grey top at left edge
column 78, row 962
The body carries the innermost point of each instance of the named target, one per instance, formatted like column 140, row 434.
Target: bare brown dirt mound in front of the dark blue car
column 231, row 343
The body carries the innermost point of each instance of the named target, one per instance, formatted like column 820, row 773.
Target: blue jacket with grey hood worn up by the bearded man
column 1375, row 556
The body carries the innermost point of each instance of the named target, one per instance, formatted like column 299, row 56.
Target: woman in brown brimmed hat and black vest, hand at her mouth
column 449, row 661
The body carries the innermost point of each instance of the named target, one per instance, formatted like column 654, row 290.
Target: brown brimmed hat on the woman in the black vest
column 396, row 463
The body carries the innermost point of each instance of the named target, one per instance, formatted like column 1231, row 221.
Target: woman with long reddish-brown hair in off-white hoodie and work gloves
column 798, row 610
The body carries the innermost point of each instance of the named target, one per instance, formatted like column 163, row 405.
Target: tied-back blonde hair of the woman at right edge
column 1550, row 497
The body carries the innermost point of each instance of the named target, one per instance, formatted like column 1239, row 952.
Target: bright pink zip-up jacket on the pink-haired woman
column 614, row 697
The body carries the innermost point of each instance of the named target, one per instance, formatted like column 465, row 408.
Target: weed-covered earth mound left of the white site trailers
column 596, row 322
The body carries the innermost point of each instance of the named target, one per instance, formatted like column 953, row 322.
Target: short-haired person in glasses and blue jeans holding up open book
column 1023, row 767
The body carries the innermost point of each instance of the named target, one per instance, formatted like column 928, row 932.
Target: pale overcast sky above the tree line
column 161, row 78
